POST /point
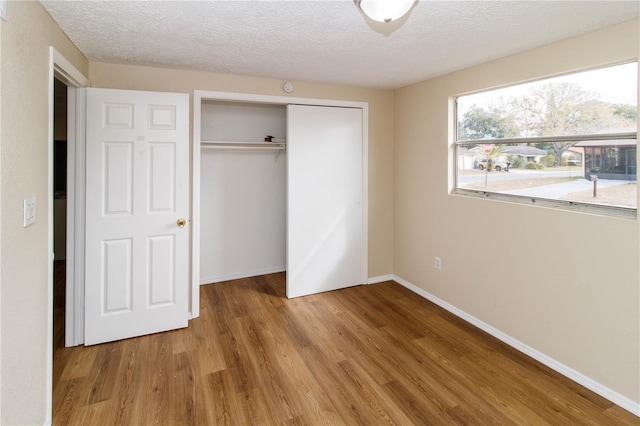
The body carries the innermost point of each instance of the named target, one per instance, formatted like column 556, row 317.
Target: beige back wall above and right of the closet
column 380, row 130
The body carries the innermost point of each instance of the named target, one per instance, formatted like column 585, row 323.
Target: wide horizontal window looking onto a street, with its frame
column 568, row 142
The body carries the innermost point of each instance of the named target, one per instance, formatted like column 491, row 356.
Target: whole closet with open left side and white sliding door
column 280, row 185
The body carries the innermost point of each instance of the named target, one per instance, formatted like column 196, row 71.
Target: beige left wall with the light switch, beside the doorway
column 24, row 307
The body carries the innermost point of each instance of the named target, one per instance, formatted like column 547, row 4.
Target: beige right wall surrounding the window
column 563, row 283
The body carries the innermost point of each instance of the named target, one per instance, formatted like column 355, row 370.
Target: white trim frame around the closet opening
column 198, row 97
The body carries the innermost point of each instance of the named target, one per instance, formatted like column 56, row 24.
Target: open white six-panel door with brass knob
column 137, row 184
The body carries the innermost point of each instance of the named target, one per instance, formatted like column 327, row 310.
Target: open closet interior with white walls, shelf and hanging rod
column 243, row 190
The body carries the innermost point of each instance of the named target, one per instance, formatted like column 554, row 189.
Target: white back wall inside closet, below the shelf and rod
column 242, row 205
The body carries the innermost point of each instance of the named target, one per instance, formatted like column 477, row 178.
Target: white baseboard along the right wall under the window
column 589, row 383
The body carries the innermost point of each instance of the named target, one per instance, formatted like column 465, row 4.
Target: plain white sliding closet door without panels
column 325, row 200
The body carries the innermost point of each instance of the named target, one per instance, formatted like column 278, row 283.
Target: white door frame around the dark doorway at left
column 63, row 70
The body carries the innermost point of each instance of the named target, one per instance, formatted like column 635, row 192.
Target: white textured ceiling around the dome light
column 324, row 40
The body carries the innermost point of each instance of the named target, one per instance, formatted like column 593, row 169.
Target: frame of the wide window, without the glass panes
column 599, row 209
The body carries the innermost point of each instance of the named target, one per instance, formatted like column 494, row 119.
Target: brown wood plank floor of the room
column 369, row 355
